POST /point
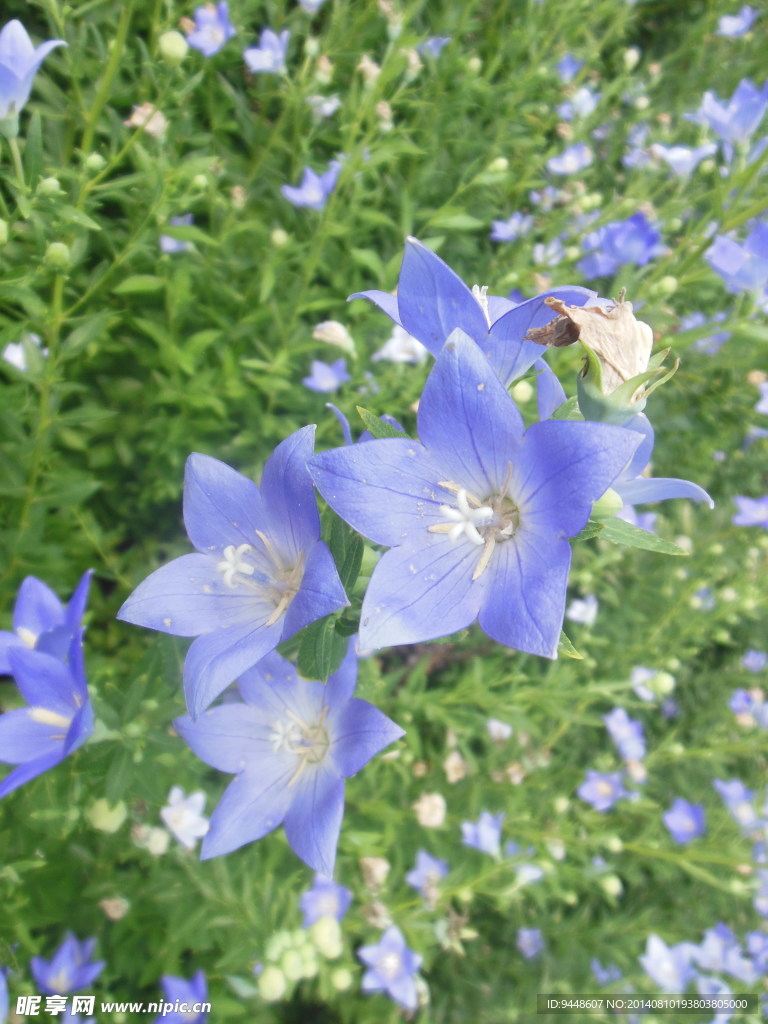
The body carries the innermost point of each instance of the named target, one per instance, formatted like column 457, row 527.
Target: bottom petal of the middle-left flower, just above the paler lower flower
column 216, row 660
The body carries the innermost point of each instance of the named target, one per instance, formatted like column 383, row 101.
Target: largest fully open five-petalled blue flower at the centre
column 478, row 514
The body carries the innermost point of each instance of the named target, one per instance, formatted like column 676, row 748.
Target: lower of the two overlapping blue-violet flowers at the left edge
column 59, row 717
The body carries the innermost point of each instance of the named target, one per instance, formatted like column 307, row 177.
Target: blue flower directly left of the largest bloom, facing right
column 262, row 573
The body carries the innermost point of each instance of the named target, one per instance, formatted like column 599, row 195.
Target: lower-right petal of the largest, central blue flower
column 526, row 598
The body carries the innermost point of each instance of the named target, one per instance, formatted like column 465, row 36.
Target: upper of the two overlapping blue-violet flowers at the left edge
column 41, row 622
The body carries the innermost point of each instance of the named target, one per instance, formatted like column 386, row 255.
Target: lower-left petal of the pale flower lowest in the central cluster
column 253, row 804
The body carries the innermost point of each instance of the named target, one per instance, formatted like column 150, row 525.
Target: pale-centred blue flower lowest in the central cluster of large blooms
column 292, row 745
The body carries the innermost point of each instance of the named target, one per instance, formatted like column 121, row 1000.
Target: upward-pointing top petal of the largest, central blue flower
column 470, row 424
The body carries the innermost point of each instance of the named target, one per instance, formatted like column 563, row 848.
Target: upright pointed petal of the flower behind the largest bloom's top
column 434, row 301
